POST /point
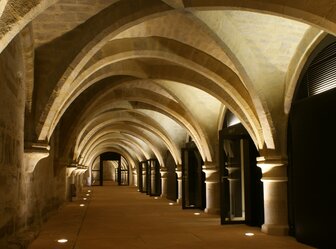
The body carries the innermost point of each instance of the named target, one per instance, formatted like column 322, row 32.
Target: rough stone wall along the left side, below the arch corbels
column 26, row 198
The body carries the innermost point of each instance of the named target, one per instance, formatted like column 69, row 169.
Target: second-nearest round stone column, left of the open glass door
column 212, row 188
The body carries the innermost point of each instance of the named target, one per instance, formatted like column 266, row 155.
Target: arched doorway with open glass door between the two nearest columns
column 241, row 186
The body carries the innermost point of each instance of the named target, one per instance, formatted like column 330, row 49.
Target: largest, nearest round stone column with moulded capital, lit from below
column 274, row 178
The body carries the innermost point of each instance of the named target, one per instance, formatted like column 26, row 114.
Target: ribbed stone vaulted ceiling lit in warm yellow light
column 139, row 77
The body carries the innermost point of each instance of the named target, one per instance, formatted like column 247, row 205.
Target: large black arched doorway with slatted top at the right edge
column 311, row 150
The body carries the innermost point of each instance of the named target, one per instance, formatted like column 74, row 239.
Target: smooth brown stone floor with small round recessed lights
column 121, row 217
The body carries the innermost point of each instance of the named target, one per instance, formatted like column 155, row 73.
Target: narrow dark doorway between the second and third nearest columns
column 193, row 178
